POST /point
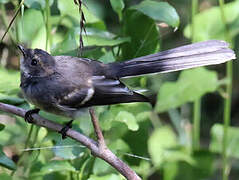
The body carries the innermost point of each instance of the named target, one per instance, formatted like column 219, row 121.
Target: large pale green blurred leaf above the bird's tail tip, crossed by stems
column 205, row 30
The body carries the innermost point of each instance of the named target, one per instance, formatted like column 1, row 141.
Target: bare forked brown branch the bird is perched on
column 98, row 149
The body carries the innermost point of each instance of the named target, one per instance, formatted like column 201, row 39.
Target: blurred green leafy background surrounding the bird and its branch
column 182, row 137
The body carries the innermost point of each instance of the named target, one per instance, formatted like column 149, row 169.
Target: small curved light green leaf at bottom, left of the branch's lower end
column 53, row 166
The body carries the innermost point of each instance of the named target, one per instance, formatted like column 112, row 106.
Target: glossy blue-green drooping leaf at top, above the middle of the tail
column 159, row 11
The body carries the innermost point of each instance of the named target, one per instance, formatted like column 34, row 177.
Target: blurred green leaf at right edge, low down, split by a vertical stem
column 217, row 140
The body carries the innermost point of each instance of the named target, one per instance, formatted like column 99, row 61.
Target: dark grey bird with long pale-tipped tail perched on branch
column 64, row 85
